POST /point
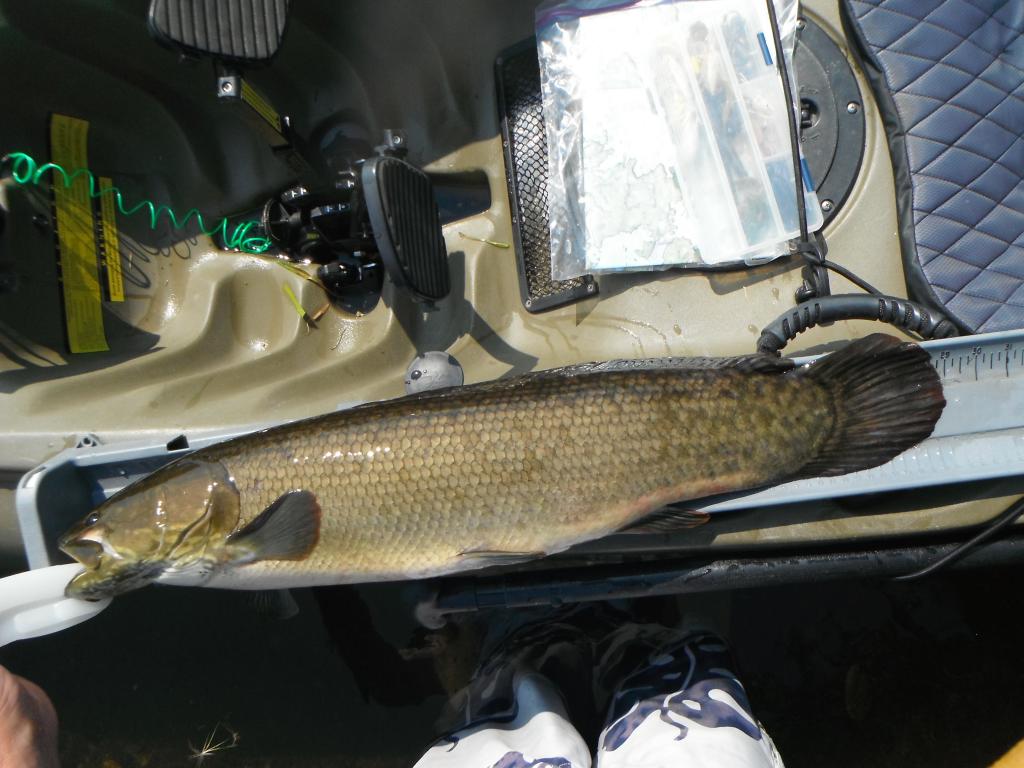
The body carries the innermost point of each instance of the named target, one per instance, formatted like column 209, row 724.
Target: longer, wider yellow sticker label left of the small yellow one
column 77, row 238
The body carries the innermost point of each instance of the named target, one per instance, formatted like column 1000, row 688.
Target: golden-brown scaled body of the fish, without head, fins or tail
column 406, row 487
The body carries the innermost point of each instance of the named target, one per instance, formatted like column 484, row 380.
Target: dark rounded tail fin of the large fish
column 887, row 399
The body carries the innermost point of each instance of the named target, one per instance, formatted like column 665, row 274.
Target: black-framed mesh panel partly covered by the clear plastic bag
column 520, row 106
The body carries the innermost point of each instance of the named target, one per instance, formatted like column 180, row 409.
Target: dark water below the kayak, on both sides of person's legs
column 841, row 675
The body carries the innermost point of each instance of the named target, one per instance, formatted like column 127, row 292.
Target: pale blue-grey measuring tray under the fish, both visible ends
column 980, row 437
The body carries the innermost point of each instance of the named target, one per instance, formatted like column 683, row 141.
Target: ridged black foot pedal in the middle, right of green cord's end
column 407, row 227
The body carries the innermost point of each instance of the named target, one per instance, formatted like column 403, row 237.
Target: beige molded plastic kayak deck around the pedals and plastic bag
column 207, row 340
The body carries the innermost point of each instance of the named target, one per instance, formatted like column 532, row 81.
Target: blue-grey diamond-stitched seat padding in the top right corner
column 956, row 69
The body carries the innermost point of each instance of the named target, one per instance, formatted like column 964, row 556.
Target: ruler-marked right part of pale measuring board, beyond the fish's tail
column 980, row 436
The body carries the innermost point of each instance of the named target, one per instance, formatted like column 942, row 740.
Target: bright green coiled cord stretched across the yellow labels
column 25, row 170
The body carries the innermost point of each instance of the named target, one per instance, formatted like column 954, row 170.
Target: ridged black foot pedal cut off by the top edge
column 231, row 30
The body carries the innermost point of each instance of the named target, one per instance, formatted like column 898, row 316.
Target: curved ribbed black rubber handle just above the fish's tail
column 901, row 313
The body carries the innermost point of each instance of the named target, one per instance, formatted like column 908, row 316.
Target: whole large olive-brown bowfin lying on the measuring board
column 503, row 472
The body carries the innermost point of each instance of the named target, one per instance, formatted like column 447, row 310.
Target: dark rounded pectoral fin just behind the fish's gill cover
column 288, row 530
